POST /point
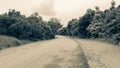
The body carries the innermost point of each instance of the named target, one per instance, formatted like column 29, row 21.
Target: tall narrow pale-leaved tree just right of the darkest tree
column 96, row 24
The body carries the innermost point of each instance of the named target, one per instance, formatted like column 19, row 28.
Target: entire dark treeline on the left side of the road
column 32, row 27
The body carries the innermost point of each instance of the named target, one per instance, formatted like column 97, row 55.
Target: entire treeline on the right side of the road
column 96, row 24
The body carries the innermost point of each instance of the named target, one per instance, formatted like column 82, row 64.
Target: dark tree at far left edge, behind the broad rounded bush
column 8, row 19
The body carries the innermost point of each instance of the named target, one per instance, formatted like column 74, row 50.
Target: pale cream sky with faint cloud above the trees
column 61, row 9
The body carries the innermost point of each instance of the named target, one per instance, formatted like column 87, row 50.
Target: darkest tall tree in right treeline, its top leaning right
column 84, row 22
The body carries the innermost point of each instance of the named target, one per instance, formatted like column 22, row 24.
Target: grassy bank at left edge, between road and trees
column 6, row 41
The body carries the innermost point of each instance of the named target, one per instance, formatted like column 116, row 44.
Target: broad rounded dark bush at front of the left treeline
column 31, row 31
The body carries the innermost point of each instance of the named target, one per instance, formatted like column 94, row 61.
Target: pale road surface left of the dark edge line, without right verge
column 61, row 52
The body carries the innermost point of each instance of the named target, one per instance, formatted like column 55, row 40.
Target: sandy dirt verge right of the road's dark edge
column 101, row 54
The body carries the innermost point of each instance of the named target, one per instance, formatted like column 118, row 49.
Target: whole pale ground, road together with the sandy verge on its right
column 62, row 52
